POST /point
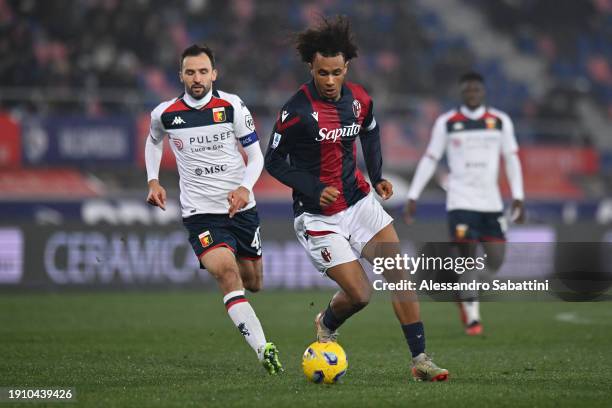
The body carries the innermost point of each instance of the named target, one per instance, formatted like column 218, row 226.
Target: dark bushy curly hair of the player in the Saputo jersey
column 330, row 38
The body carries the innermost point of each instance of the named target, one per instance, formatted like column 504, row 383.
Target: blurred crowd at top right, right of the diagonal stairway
column 572, row 37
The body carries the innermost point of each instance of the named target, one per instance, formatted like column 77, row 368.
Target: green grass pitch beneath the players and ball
column 181, row 349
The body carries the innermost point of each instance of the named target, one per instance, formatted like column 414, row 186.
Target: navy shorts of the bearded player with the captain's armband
column 239, row 234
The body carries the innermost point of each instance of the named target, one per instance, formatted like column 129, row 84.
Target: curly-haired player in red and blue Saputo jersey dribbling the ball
column 337, row 218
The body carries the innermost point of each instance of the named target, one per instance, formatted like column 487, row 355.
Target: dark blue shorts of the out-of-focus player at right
column 470, row 226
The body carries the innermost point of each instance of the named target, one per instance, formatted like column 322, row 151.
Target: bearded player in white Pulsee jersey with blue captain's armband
column 204, row 126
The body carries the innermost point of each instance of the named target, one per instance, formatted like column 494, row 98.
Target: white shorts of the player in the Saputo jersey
column 332, row 240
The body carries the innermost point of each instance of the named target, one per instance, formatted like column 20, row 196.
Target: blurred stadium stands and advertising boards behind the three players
column 78, row 80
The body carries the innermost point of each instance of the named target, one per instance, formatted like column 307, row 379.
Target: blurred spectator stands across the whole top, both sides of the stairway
column 109, row 56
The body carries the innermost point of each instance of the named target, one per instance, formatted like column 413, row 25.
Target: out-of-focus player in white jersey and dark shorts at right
column 473, row 137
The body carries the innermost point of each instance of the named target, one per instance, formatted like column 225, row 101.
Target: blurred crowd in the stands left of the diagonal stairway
column 112, row 45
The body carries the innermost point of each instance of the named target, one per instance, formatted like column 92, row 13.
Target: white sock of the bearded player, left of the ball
column 245, row 319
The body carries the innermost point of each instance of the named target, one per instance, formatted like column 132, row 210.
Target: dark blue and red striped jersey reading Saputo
column 317, row 136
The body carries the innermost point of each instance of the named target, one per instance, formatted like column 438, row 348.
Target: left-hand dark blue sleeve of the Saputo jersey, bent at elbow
column 281, row 145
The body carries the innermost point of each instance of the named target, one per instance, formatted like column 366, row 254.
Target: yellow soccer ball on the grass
column 324, row 362
